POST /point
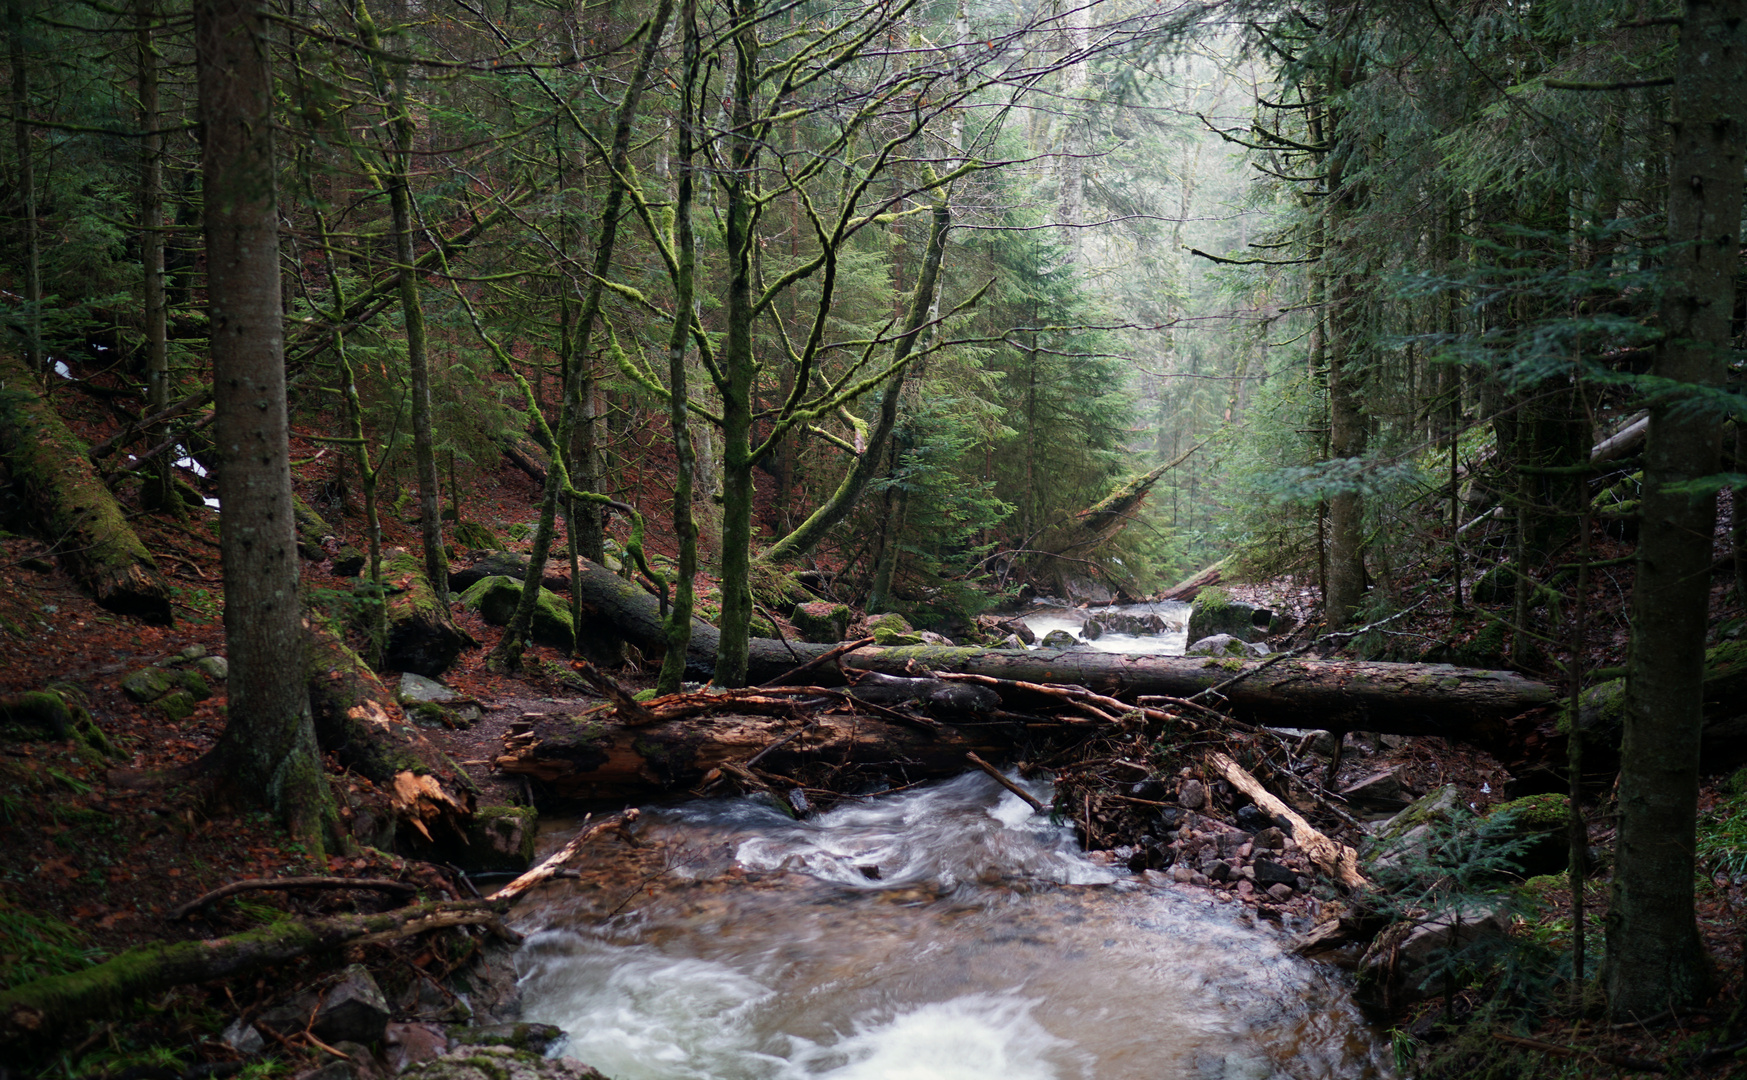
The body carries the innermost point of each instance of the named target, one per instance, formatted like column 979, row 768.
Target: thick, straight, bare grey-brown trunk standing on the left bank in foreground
column 268, row 751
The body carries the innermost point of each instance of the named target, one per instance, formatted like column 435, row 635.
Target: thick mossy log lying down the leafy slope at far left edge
column 78, row 515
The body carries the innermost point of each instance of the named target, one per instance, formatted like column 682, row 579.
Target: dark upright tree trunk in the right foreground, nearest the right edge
column 1655, row 957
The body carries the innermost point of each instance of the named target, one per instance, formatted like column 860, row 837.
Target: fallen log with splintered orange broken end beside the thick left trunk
column 361, row 724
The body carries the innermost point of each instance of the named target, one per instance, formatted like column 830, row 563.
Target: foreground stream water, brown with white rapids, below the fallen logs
column 943, row 934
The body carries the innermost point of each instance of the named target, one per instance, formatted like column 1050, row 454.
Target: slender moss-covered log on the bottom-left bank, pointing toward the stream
column 45, row 1009
